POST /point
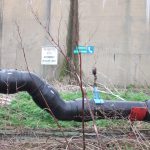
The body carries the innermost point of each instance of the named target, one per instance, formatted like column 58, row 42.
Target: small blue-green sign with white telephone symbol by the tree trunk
column 84, row 50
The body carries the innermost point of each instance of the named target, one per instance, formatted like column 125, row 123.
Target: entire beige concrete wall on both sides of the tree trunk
column 119, row 30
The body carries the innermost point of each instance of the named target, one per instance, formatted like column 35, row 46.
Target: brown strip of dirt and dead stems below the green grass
column 50, row 139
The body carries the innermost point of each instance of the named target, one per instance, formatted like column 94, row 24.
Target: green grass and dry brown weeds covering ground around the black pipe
column 23, row 113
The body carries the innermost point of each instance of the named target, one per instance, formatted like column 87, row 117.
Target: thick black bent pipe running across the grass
column 45, row 96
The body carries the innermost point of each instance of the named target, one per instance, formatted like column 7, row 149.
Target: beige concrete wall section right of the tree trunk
column 120, row 33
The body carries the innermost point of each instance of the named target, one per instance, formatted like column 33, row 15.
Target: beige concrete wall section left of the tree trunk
column 33, row 35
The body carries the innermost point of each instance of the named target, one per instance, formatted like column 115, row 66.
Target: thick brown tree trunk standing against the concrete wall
column 72, row 40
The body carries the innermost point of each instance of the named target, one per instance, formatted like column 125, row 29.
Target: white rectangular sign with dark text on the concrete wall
column 49, row 56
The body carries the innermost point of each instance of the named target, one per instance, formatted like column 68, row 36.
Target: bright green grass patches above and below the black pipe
column 23, row 112
